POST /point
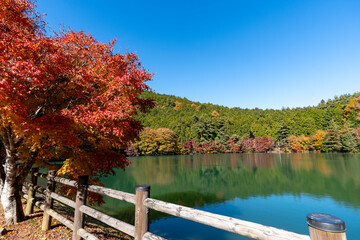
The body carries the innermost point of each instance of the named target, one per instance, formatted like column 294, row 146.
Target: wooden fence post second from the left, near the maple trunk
column 49, row 202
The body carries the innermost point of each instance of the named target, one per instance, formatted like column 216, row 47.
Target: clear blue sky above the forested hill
column 241, row 53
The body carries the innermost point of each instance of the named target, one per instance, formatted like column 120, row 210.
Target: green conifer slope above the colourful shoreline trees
column 204, row 121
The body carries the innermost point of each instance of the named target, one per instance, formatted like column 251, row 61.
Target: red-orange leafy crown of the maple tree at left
column 64, row 98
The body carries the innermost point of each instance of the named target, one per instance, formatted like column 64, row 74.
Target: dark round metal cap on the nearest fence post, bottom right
column 326, row 222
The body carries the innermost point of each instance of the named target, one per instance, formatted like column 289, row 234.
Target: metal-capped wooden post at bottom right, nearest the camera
column 325, row 227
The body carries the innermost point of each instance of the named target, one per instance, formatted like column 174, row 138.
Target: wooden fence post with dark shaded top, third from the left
column 81, row 195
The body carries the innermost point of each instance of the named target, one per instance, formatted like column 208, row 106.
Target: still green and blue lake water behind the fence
column 277, row 190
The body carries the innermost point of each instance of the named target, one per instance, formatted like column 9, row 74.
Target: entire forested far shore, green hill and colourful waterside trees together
column 179, row 126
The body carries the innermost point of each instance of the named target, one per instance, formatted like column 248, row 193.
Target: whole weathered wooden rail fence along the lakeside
column 143, row 203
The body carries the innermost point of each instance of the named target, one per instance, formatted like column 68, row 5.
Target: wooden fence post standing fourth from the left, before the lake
column 141, row 212
